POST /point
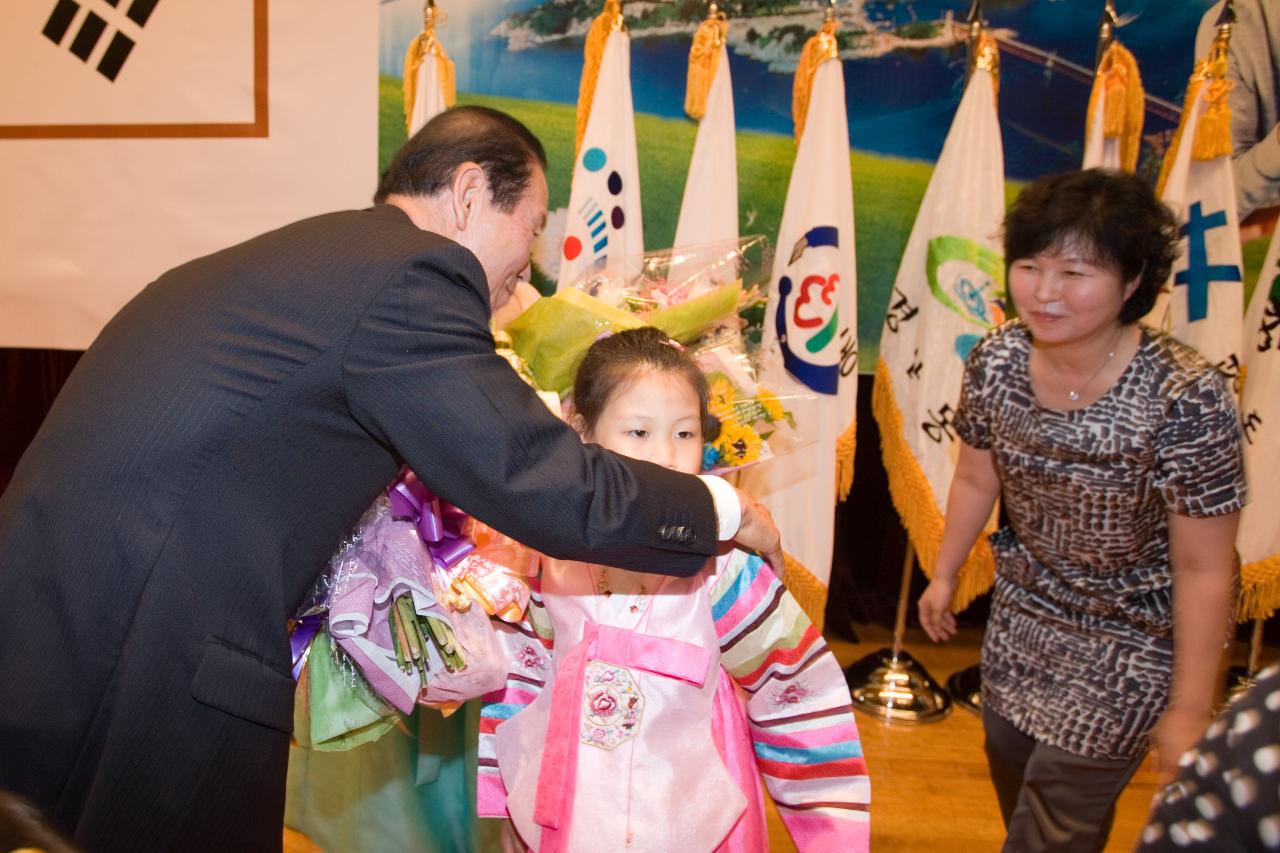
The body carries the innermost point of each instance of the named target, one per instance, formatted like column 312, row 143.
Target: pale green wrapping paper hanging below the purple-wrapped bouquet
column 345, row 713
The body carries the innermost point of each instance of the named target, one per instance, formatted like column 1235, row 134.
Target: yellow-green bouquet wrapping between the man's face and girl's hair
column 554, row 335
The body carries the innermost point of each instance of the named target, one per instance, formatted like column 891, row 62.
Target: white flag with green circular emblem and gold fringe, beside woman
column 950, row 290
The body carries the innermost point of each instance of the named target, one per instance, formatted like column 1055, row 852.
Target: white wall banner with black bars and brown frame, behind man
column 143, row 134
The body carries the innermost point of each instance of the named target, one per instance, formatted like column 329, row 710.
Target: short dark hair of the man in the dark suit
column 502, row 147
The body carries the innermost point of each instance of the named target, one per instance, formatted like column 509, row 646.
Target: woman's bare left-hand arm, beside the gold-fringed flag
column 975, row 490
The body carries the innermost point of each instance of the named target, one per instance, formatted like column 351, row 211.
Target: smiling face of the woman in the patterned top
column 1063, row 298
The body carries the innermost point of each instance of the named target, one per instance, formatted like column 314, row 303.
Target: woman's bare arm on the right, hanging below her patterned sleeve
column 1204, row 565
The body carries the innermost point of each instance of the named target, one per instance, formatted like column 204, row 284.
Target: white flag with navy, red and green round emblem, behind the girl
column 811, row 340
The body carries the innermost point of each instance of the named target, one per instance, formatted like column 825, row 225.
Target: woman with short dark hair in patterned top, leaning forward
column 1117, row 454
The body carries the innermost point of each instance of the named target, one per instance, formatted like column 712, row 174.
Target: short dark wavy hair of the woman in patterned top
column 1113, row 217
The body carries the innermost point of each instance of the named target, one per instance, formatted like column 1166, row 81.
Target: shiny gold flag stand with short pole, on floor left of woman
column 893, row 686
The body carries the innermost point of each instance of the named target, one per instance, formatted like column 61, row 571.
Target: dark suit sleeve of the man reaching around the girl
column 422, row 377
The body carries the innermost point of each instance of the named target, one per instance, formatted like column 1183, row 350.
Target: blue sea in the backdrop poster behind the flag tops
column 899, row 104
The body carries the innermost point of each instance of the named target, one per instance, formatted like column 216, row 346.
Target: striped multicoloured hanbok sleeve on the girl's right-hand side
column 803, row 729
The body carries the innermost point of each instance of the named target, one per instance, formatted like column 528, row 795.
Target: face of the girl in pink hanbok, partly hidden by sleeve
column 656, row 418
